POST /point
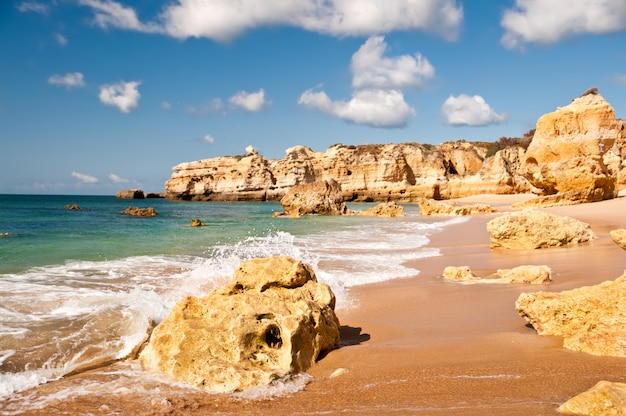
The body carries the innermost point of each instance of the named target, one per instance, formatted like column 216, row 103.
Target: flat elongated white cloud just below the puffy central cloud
column 373, row 107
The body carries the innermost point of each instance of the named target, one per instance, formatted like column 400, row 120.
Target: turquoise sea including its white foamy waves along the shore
column 81, row 288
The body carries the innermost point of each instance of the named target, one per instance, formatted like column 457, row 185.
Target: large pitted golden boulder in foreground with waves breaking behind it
column 274, row 319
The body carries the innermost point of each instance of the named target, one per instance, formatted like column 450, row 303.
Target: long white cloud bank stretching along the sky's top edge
column 222, row 20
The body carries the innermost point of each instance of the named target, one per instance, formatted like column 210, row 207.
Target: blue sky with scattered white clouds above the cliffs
column 102, row 95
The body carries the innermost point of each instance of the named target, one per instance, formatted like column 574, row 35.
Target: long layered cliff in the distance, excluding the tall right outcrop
column 400, row 172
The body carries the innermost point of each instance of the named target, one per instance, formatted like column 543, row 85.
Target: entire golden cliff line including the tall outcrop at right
column 577, row 150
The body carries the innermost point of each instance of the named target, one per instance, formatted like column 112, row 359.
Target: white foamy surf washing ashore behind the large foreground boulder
column 101, row 311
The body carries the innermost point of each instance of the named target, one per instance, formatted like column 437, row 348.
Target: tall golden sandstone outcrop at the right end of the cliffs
column 566, row 153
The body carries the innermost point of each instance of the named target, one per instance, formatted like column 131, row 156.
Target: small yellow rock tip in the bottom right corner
column 605, row 398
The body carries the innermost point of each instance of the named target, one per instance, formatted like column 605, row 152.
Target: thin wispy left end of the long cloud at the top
column 109, row 13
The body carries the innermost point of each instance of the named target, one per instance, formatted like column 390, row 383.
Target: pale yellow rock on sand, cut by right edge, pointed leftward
column 590, row 319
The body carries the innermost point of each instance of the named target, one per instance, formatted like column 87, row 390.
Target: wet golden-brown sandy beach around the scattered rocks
column 418, row 345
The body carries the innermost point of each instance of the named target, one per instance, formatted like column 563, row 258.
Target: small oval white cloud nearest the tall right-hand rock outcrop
column 470, row 111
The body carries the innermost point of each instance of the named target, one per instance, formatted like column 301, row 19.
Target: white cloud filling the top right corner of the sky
column 548, row 21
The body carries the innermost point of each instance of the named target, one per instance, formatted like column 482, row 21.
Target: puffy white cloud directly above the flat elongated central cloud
column 371, row 69
